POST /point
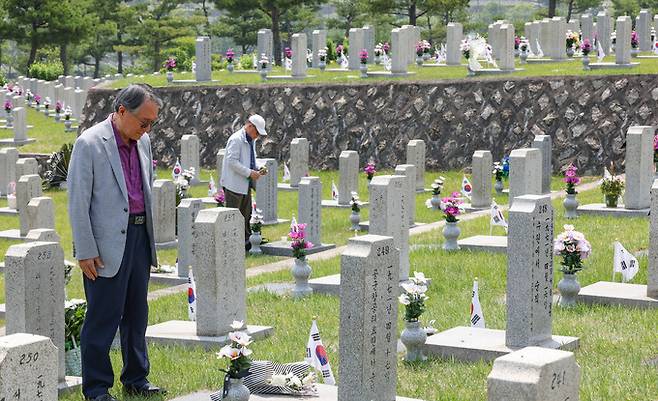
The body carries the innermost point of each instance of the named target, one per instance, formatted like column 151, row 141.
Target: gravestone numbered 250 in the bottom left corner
column 28, row 368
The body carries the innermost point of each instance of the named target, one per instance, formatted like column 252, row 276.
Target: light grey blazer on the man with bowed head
column 98, row 197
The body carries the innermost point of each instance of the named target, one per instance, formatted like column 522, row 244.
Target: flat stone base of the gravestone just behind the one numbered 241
column 473, row 344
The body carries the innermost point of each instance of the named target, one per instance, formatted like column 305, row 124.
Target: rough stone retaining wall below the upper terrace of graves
column 587, row 117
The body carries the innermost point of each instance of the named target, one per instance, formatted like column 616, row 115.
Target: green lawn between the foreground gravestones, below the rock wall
column 614, row 341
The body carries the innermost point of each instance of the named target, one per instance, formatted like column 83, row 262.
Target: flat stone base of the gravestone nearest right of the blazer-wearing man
column 183, row 333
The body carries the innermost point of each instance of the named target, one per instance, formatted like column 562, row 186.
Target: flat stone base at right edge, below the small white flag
column 622, row 294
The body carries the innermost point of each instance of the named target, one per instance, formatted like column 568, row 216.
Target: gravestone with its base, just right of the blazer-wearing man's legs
column 218, row 249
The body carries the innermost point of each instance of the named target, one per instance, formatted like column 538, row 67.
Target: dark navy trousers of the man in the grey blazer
column 118, row 302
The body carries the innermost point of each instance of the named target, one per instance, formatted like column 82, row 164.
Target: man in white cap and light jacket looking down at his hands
column 239, row 171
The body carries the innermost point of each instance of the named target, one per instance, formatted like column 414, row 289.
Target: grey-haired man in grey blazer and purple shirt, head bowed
column 109, row 192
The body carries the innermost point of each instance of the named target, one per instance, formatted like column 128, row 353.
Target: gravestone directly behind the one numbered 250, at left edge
column 36, row 268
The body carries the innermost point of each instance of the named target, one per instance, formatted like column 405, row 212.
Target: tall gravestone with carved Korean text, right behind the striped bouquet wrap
column 368, row 319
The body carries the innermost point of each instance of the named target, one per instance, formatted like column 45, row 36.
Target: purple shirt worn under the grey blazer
column 132, row 172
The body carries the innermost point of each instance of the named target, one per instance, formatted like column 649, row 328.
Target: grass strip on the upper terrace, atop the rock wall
column 223, row 77
